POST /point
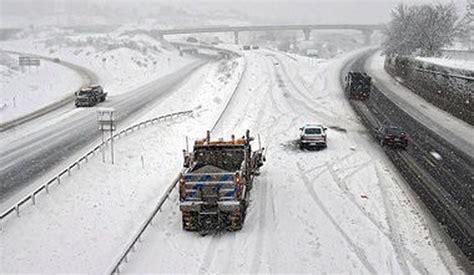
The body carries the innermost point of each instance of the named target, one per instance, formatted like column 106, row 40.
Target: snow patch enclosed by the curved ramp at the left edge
column 25, row 91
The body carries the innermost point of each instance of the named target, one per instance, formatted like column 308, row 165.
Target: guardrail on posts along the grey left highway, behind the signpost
column 84, row 159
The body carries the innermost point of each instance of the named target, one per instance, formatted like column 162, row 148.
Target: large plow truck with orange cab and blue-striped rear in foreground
column 215, row 184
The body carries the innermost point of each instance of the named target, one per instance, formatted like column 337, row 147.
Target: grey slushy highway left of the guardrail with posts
column 24, row 160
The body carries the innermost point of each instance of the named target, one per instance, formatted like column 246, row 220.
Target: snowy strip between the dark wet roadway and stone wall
column 451, row 128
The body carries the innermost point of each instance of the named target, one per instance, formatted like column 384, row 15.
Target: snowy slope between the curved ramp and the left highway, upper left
column 121, row 61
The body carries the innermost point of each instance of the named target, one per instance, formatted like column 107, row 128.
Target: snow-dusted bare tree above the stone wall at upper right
column 422, row 29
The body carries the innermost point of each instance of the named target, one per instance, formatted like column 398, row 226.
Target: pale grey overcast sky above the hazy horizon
column 255, row 11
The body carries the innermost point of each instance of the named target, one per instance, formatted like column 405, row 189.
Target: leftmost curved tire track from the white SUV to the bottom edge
column 359, row 252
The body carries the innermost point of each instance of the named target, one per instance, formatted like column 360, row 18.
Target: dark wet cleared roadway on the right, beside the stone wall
column 444, row 184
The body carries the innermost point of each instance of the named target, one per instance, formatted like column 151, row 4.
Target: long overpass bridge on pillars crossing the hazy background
column 366, row 30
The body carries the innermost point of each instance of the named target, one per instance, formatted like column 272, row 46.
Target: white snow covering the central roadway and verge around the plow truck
column 340, row 210
